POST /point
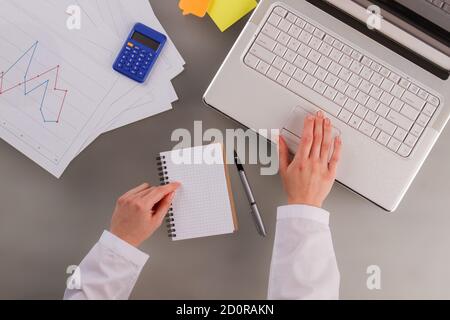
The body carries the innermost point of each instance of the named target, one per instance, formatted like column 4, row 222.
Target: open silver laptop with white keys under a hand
column 387, row 99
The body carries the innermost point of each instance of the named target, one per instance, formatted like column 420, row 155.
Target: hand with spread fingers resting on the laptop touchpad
column 308, row 178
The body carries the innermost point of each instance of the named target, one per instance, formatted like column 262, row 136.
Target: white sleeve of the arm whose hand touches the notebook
column 109, row 271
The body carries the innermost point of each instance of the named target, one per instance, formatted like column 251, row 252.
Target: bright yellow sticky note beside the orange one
column 225, row 13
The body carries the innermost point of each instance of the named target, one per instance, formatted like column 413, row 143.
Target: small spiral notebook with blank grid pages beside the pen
column 203, row 205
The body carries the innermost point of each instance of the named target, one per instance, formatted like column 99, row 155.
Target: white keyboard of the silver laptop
column 361, row 91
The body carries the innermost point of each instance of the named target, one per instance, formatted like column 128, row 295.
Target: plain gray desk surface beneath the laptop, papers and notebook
column 48, row 224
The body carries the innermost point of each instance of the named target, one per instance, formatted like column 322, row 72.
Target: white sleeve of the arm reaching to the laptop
column 303, row 261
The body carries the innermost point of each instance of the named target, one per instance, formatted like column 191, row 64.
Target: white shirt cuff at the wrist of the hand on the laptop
column 305, row 212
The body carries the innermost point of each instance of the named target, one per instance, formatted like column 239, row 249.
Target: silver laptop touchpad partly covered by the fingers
column 292, row 130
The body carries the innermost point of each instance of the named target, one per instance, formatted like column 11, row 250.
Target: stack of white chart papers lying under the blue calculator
column 58, row 91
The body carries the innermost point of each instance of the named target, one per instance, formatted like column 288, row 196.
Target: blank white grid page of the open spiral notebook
column 202, row 205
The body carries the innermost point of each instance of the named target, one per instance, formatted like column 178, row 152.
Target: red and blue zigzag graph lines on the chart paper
column 44, row 84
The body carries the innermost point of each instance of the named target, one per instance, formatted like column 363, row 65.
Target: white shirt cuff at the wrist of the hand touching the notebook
column 123, row 249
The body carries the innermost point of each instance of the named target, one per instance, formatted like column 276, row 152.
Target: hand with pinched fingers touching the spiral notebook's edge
column 141, row 211
